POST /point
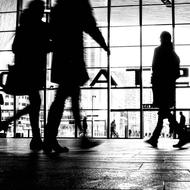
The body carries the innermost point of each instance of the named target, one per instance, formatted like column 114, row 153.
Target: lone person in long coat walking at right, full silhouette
column 165, row 71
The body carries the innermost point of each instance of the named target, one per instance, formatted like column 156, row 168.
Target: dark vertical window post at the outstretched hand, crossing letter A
column 108, row 67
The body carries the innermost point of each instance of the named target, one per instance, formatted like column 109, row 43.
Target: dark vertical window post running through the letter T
column 141, row 83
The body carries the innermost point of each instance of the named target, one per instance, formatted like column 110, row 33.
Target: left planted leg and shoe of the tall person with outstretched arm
column 53, row 122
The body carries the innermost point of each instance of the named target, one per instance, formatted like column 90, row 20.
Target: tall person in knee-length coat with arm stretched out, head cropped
column 68, row 20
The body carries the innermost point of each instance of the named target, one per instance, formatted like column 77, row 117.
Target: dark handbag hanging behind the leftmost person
column 12, row 81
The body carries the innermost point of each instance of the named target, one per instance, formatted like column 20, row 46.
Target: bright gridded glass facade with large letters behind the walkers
column 119, row 87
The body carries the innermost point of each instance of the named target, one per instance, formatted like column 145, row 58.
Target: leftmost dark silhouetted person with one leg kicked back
column 30, row 46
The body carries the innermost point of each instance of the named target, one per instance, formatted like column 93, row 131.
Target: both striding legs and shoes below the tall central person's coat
column 54, row 119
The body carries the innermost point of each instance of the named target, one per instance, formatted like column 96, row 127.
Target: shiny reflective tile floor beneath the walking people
column 115, row 164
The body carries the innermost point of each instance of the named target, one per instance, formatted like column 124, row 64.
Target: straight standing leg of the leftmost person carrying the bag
column 35, row 103
